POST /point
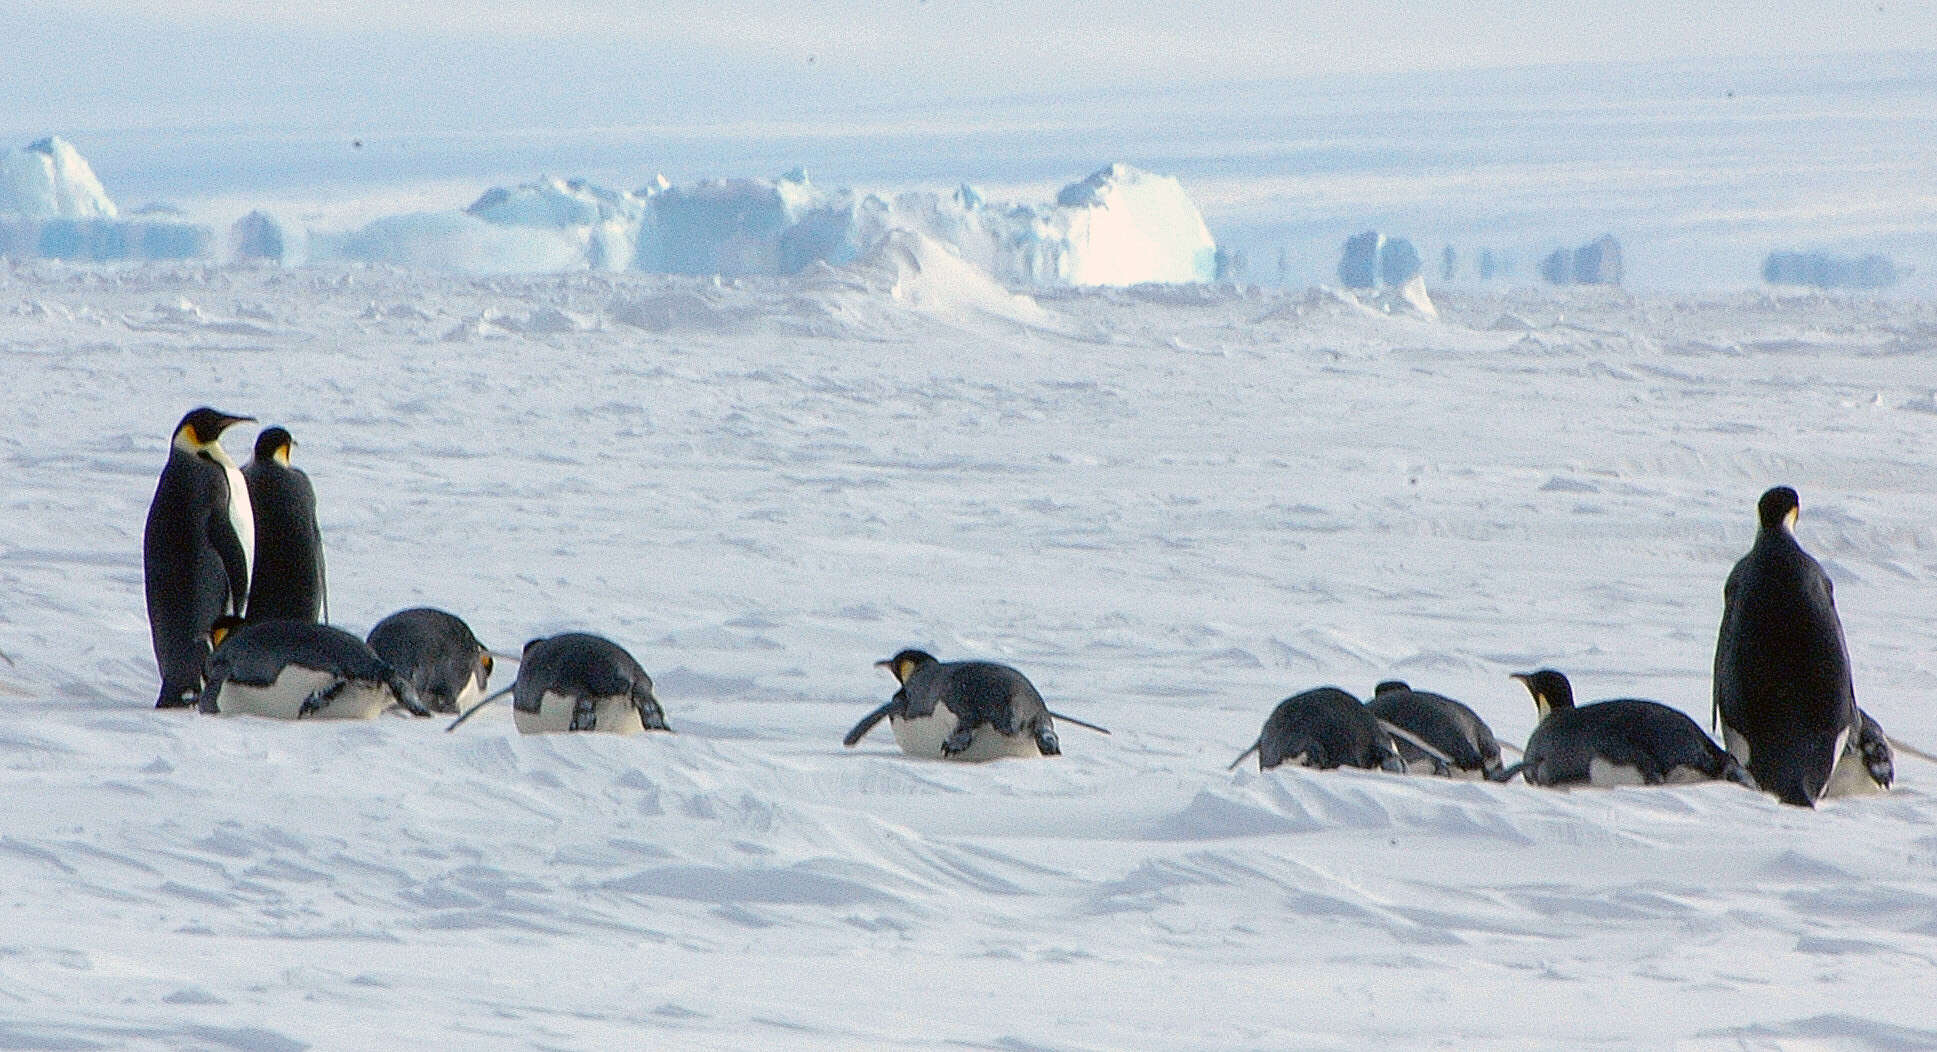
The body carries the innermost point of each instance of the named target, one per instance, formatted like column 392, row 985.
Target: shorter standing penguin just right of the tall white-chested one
column 288, row 576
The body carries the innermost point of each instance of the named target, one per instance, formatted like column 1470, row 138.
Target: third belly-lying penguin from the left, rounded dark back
column 582, row 683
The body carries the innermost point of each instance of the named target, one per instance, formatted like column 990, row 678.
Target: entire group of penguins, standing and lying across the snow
column 237, row 600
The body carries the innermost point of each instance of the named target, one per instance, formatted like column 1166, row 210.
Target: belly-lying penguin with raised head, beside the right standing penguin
column 1626, row 741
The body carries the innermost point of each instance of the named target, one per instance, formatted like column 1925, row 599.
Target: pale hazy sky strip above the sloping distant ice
column 508, row 63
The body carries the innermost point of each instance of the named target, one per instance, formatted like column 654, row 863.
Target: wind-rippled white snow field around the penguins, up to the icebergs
column 1171, row 507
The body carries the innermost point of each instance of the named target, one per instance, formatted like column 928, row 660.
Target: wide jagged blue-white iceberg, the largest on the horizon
column 1117, row 228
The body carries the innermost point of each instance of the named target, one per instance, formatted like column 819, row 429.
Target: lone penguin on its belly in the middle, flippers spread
column 964, row 710
